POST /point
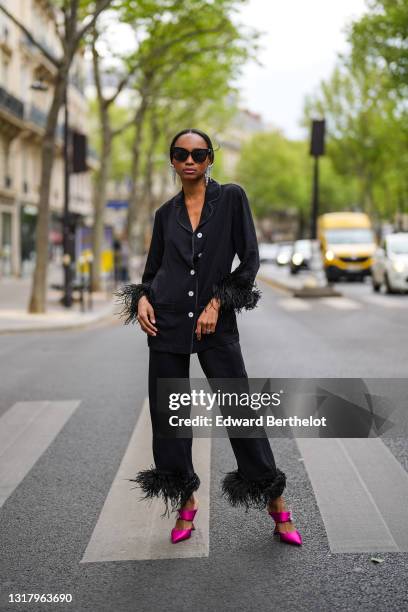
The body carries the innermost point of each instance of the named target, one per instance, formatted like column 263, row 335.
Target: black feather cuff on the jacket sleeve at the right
column 236, row 293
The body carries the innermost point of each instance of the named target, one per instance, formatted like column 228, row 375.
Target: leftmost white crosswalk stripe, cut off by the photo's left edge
column 26, row 431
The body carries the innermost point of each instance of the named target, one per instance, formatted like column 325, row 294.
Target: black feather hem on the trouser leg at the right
column 240, row 491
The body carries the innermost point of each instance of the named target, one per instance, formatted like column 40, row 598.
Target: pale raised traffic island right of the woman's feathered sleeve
column 298, row 285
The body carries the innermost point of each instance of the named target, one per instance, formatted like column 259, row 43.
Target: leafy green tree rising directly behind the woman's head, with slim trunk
column 189, row 55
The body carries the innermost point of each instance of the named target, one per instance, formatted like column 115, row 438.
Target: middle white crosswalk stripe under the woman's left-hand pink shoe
column 130, row 529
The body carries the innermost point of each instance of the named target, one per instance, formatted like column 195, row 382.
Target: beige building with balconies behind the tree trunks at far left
column 22, row 119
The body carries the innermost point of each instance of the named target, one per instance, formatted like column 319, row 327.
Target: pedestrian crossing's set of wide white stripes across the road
column 360, row 488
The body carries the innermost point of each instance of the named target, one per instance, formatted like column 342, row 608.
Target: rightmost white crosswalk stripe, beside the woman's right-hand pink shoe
column 362, row 493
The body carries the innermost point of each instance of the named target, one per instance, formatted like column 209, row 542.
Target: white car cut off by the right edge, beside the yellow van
column 390, row 265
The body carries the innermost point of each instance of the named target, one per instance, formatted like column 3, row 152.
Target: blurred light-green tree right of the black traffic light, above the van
column 362, row 122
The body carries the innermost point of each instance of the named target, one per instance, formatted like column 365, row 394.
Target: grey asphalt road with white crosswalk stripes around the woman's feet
column 59, row 495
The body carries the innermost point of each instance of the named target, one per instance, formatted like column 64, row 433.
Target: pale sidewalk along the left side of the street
column 15, row 295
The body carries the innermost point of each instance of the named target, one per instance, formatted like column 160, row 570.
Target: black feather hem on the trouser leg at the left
column 175, row 488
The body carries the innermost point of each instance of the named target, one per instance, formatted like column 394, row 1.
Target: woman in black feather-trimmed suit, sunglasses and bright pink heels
column 187, row 303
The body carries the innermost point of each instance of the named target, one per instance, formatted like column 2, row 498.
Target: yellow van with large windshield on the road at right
column 348, row 243
